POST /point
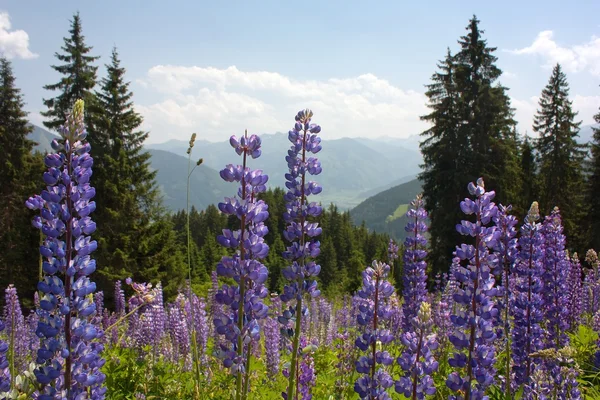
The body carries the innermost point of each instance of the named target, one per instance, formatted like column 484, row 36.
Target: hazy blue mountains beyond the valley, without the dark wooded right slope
column 353, row 169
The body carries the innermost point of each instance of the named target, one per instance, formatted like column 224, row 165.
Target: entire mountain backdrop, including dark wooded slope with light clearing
column 374, row 178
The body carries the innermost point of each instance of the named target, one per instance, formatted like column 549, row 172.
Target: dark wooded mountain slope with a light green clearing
column 385, row 212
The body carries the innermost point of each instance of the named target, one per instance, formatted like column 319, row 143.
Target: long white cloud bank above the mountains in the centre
column 219, row 102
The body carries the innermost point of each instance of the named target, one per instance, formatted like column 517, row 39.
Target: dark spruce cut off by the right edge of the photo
column 593, row 190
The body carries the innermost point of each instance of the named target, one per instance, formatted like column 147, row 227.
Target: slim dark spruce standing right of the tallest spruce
column 560, row 155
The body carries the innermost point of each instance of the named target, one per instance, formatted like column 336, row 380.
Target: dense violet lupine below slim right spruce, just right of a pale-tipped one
column 555, row 281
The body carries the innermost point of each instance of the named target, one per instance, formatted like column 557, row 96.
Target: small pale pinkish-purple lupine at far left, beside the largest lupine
column 17, row 332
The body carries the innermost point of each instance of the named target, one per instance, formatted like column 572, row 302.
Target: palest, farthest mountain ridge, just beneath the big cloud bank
column 353, row 169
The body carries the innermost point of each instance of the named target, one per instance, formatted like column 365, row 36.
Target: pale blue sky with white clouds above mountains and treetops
column 217, row 68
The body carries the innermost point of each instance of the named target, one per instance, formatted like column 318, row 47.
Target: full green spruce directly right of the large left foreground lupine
column 130, row 219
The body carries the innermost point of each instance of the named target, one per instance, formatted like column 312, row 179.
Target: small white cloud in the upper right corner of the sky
column 577, row 58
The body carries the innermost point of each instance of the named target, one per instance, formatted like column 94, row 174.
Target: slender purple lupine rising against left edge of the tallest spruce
column 415, row 290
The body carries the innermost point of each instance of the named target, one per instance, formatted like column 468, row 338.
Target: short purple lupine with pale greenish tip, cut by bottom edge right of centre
column 417, row 360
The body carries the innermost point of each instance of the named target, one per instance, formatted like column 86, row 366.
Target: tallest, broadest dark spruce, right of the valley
column 472, row 135
